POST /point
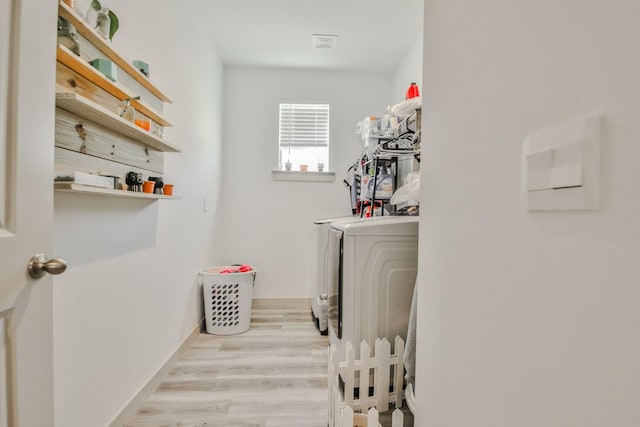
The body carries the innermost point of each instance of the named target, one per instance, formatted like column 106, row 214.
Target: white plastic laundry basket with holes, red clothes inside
column 227, row 300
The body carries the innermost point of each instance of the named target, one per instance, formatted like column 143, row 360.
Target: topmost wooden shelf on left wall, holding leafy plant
column 105, row 47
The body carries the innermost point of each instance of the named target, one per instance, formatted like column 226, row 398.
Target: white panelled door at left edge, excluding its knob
column 27, row 87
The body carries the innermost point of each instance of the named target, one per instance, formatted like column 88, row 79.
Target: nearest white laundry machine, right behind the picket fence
column 373, row 264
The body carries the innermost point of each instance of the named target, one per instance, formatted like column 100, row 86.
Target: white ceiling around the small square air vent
column 373, row 34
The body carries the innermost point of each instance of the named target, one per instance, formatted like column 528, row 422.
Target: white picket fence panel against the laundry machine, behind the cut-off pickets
column 353, row 370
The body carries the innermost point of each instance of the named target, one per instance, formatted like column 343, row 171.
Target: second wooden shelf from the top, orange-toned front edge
column 86, row 70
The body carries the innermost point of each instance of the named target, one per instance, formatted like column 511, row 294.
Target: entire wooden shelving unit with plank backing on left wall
column 85, row 95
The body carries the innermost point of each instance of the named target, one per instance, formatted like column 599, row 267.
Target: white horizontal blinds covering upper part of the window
column 304, row 125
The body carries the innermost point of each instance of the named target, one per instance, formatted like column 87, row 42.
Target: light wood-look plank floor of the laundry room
column 273, row 375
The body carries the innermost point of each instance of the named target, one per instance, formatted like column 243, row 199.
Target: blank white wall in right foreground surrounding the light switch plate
column 525, row 318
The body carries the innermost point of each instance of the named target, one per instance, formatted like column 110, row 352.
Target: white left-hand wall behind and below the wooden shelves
column 130, row 295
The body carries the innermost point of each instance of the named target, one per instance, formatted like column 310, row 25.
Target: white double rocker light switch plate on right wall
column 561, row 166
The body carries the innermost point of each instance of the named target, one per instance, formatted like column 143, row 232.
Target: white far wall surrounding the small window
column 270, row 224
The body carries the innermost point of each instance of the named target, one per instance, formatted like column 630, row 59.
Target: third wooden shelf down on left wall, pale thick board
column 87, row 109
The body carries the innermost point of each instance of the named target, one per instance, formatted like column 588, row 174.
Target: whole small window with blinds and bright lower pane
column 304, row 136
